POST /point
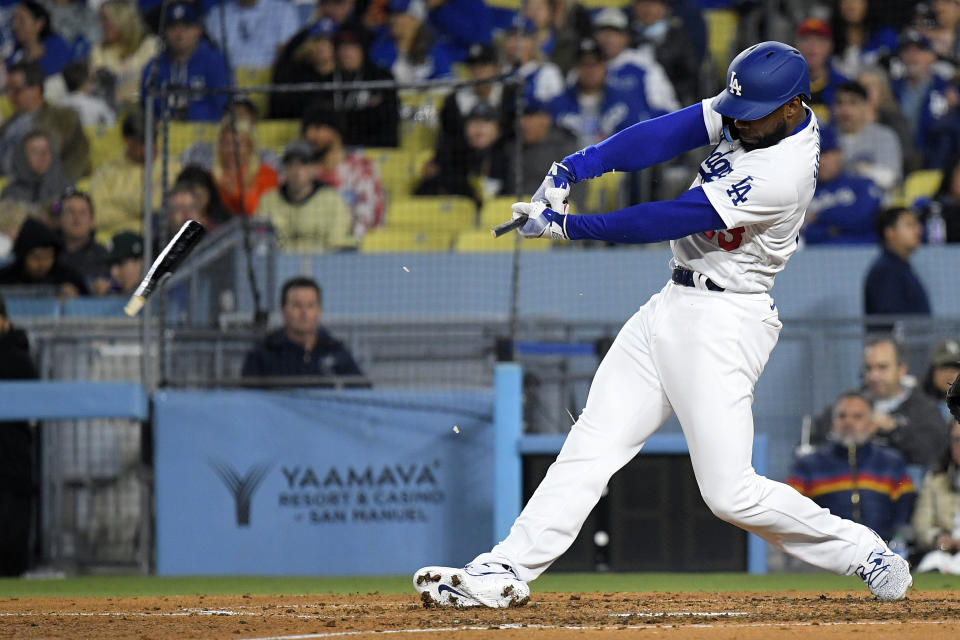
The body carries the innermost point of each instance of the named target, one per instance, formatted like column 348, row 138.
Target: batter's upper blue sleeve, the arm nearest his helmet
column 642, row 145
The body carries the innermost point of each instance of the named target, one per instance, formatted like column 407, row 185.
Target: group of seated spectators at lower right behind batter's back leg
column 887, row 455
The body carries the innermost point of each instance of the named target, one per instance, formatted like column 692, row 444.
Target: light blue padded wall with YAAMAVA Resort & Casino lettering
column 321, row 482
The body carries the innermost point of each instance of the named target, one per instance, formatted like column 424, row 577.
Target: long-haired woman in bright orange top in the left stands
column 240, row 175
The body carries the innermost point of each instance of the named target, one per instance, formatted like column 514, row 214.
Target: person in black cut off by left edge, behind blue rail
column 16, row 456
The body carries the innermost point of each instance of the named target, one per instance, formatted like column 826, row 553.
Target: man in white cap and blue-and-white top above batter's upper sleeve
column 628, row 70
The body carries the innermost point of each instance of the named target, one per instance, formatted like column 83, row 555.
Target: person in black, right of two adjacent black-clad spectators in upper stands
column 371, row 116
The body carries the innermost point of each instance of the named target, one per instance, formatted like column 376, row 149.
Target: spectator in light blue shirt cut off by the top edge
column 253, row 30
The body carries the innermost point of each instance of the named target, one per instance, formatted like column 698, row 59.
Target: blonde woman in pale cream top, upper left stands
column 127, row 46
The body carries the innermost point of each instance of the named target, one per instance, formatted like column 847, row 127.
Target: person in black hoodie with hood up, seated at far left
column 37, row 261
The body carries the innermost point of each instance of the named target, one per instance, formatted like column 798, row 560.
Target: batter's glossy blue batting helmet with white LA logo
column 762, row 78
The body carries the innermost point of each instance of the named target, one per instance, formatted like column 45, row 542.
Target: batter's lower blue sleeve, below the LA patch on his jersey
column 689, row 213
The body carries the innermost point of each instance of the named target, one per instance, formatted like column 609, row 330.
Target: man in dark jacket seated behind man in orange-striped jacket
column 906, row 419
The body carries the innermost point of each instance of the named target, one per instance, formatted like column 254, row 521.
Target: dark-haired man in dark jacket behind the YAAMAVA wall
column 301, row 347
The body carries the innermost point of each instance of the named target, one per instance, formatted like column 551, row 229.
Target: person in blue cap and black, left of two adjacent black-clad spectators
column 310, row 56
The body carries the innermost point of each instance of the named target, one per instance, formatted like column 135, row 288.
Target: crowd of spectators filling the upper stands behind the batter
column 882, row 78
